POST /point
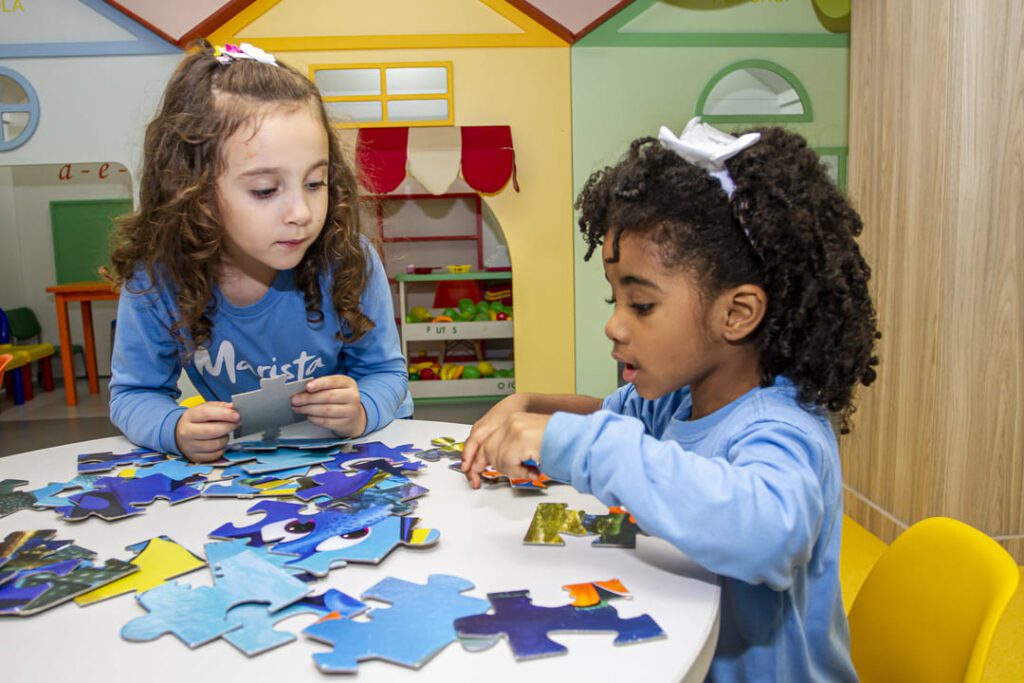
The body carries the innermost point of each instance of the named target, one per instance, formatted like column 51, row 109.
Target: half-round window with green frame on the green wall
column 754, row 92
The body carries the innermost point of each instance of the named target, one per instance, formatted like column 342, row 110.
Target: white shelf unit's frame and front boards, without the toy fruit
column 444, row 332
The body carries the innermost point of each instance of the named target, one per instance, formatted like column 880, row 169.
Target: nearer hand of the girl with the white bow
column 517, row 439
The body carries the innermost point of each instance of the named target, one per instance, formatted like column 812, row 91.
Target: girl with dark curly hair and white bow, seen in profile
column 742, row 319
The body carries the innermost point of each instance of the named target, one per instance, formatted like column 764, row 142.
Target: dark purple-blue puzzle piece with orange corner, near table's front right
column 527, row 626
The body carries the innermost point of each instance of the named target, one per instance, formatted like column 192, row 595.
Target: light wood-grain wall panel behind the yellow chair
column 937, row 174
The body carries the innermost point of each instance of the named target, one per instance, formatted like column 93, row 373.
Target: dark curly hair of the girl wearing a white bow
column 787, row 230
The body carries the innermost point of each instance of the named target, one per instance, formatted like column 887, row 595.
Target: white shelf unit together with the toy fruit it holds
column 467, row 321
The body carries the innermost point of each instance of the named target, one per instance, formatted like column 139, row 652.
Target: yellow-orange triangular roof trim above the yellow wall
column 534, row 34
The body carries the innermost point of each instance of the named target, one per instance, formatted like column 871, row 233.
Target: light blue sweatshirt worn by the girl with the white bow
column 752, row 493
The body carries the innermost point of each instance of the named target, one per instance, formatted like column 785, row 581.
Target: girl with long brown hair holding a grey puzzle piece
column 245, row 262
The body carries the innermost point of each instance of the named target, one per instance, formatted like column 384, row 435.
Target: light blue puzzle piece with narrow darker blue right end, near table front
column 257, row 633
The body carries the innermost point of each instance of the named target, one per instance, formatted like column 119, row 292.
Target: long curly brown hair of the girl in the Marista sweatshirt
column 177, row 234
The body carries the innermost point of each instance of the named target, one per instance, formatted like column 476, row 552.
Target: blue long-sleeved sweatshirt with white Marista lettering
column 269, row 338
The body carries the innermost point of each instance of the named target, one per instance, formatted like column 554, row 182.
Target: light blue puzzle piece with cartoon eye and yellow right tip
column 370, row 545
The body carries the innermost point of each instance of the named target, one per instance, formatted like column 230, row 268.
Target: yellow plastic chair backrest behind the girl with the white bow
column 930, row 607
